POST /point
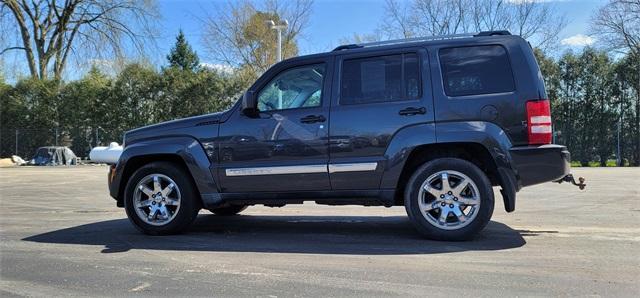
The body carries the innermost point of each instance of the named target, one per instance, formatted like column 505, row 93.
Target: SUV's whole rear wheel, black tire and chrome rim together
column 468, row 206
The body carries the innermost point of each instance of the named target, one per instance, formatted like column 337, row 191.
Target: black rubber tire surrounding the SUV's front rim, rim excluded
column 189, row 203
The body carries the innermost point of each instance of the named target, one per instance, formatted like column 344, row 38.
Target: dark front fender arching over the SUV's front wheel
column 188, row 149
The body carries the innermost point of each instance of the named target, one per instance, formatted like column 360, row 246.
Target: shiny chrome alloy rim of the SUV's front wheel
column 156, row 199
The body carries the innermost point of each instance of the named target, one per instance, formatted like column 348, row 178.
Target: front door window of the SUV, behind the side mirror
column 293, row 88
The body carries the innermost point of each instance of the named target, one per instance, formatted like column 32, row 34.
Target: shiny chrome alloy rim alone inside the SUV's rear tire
column 449, row 200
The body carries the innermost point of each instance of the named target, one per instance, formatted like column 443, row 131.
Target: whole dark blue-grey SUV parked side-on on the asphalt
column 429, row 123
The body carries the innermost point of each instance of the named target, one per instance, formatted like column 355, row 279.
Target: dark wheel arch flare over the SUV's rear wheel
column 482, row 143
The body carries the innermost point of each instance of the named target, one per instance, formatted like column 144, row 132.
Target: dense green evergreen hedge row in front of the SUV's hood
column 97, row 109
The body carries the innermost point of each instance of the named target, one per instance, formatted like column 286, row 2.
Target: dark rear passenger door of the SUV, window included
column 375, row 94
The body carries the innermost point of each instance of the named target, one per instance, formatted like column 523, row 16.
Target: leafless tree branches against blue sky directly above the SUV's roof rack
column 534, row 20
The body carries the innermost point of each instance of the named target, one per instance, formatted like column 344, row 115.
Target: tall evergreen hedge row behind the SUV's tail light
column 595, row 105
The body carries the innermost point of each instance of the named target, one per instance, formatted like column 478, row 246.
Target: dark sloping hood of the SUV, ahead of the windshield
column 177, row 126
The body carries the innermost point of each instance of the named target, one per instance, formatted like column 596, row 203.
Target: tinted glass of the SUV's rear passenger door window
column 379, row 79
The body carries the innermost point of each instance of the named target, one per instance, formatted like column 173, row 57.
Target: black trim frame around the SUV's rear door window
column 402, row 53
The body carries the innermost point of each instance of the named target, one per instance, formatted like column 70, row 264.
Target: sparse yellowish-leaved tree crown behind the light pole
column 238, row 35
